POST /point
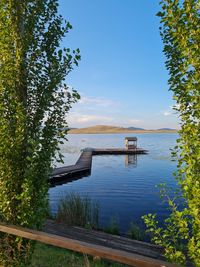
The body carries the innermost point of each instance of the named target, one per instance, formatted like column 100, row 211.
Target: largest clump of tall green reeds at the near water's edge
column 75, row 210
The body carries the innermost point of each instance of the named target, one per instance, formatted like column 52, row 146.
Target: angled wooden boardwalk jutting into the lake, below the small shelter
column 83, row 165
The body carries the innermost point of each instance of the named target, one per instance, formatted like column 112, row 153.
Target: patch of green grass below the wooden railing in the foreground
column 49, row 256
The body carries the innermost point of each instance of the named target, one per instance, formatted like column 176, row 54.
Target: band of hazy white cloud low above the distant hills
column 90, row 111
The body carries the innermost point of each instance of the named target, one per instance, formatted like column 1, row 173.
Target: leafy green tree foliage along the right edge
column 180, row 32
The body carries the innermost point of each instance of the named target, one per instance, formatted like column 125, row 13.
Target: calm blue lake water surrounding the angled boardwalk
column 125, row 187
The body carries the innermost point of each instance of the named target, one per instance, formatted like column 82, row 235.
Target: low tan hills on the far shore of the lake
column 105, row 129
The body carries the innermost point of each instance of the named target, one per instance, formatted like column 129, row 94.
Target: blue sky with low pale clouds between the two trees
column 121, row 77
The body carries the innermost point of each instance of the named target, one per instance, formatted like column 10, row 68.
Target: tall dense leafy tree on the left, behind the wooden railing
column 34, row 101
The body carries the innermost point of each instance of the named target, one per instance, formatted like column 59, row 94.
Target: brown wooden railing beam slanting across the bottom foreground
column 84, row 247
